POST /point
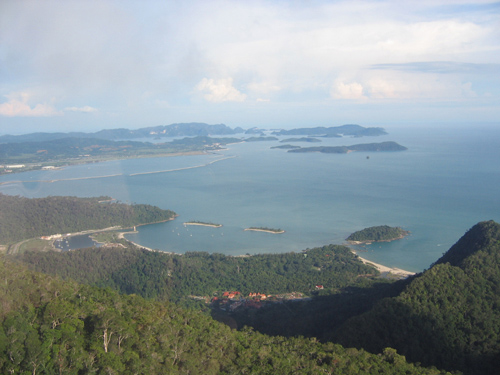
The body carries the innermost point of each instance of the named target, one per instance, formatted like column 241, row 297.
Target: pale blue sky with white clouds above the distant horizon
column 89, row 65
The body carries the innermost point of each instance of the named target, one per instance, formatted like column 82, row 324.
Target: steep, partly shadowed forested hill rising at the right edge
column 449, row 316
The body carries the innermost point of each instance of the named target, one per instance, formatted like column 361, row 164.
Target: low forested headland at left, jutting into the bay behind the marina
column 23, row 218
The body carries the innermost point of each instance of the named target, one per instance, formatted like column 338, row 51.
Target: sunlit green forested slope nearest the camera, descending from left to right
column 52, row 327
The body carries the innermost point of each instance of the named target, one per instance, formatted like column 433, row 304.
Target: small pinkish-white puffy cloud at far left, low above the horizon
column 18, row 106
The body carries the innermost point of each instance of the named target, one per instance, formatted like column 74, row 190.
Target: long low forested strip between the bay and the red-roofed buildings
column 175, row 277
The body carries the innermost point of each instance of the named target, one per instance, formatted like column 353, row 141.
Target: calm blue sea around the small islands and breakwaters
column 447, row 181
